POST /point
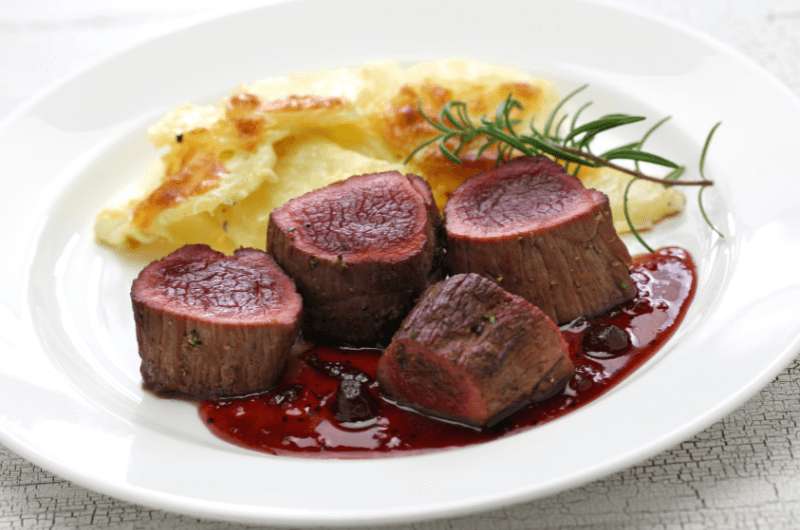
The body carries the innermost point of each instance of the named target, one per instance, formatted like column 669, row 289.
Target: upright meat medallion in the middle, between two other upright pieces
column 361, row 250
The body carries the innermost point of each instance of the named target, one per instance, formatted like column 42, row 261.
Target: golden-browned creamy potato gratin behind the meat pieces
column 224, row 167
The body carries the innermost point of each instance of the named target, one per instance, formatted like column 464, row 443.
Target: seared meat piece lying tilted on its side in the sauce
column 471, row 352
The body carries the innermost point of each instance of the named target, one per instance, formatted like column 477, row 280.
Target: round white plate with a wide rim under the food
column 69, row 388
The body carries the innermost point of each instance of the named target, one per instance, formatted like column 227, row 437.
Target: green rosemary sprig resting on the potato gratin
column 456, row 131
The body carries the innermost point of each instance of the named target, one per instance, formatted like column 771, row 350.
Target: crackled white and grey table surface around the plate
column 742, row 472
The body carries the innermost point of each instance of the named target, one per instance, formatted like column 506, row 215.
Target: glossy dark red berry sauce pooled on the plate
column 298, row 417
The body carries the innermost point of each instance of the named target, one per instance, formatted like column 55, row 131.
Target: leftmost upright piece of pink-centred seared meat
column 210, row 325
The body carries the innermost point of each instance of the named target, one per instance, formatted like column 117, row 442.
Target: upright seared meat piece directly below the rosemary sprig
column 540, row 234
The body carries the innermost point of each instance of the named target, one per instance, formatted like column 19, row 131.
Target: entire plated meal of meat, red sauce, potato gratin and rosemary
column 345, row 172
